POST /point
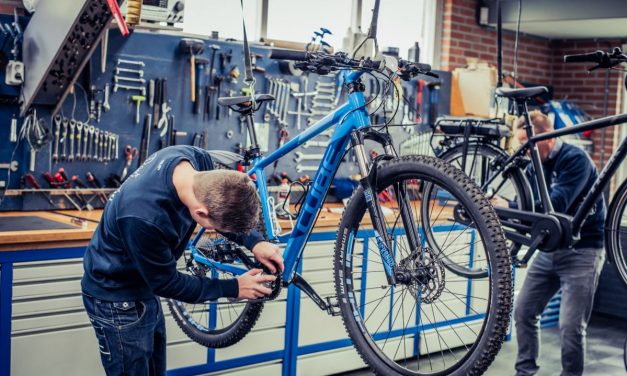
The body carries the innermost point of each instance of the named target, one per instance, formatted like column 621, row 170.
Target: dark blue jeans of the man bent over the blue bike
column 131, row 335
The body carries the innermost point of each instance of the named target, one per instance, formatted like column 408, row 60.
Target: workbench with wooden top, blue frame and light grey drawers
column 41, row 310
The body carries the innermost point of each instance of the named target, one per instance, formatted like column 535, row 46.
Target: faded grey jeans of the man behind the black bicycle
column 576, row 272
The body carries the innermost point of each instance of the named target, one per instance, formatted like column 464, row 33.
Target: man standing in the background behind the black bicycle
column 569, row 174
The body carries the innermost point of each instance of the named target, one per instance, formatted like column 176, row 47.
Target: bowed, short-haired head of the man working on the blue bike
column 231, row 199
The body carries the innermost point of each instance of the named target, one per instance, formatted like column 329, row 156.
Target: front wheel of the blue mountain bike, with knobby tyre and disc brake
column 434, row 322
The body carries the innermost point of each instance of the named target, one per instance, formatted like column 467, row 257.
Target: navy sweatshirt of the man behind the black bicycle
column 570, row 174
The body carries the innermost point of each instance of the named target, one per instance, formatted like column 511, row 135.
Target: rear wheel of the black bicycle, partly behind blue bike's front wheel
column 478, row 165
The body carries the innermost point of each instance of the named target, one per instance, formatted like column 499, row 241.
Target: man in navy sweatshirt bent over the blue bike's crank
column 131, row 259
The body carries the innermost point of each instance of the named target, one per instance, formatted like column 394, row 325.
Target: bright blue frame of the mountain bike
column 349, row 117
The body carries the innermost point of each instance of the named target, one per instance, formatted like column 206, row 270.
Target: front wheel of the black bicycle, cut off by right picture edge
column 616, row 232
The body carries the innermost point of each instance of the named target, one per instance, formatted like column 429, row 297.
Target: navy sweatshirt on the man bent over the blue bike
column 144, row 229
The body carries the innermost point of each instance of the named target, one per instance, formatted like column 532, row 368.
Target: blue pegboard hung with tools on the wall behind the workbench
column 162, row 58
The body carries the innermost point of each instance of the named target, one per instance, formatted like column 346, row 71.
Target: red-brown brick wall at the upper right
column 540, row 60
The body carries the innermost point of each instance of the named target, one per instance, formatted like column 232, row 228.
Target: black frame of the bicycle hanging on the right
column 591, row 197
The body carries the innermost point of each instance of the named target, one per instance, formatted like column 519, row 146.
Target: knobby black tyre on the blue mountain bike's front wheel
column 496, row 324
